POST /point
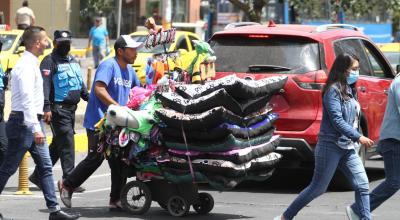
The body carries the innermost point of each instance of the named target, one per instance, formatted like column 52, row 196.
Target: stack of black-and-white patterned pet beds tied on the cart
column 220, row 132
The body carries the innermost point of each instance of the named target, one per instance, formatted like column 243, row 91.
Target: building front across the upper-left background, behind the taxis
column 78, row 15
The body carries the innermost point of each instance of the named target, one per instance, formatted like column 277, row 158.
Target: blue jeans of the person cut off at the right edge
column 390, row 150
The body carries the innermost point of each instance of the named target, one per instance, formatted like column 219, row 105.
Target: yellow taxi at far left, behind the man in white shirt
column 12, row 50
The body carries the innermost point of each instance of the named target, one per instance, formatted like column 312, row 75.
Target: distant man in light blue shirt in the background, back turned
column 98, row 39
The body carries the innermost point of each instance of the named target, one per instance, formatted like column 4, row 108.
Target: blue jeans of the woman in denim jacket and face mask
column 328, row 157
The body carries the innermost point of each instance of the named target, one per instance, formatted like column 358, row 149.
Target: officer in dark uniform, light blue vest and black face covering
column 63, row 87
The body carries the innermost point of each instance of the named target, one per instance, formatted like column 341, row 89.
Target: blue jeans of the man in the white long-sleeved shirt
column 21, row 140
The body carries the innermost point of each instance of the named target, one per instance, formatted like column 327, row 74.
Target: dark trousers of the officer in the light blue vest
column 62, row 146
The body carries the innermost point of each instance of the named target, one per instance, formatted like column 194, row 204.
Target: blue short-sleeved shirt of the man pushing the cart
column 119, row 82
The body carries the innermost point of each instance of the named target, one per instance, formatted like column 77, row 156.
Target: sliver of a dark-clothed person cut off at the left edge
column 3, row 136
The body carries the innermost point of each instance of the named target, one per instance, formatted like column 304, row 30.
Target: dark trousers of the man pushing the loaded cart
column 90, row 164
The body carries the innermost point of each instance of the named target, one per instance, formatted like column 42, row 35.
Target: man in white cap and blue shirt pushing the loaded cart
column 113, row 81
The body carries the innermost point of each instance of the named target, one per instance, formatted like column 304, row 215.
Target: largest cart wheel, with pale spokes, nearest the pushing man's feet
column 136, row 198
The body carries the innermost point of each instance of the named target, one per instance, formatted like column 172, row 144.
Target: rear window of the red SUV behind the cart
column 265, row 54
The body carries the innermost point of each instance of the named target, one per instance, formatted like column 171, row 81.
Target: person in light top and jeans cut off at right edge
column 389, row 148
